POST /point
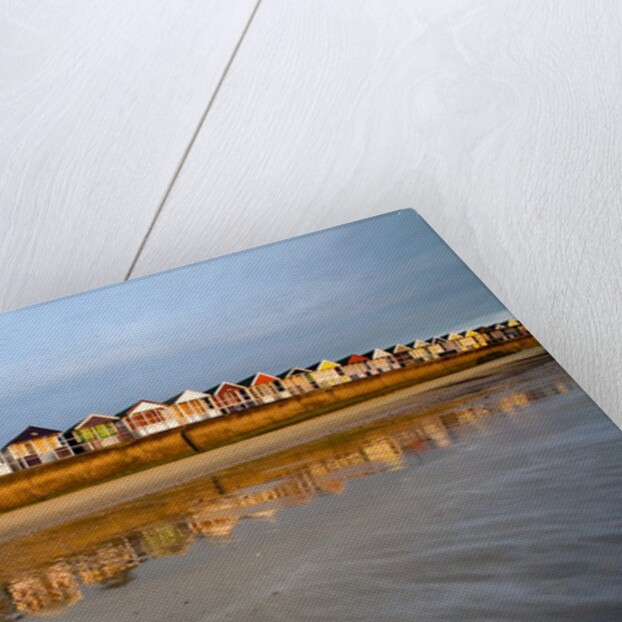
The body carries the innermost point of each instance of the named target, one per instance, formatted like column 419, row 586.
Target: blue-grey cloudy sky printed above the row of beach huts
column 373, row 283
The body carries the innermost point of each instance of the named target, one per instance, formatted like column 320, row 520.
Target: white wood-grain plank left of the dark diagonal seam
column 97, row 104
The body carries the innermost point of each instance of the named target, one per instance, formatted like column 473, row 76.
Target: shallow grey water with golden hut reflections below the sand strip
column 496, row 499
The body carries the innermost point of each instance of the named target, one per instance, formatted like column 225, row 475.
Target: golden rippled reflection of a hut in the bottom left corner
column 46, row 593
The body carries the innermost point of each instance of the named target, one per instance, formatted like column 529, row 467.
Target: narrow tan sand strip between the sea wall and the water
column 98, row 497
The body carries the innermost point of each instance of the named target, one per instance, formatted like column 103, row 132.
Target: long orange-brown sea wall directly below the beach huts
column 51, row 479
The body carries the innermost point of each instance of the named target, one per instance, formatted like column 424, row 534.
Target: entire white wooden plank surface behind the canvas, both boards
column 141, row 136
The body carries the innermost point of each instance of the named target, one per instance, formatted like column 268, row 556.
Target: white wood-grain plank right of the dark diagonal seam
column 499, row 122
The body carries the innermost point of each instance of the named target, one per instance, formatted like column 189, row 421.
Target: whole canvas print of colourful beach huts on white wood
column 347, row 425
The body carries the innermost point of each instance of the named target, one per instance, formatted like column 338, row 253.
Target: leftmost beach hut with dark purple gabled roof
column 36, row 446
